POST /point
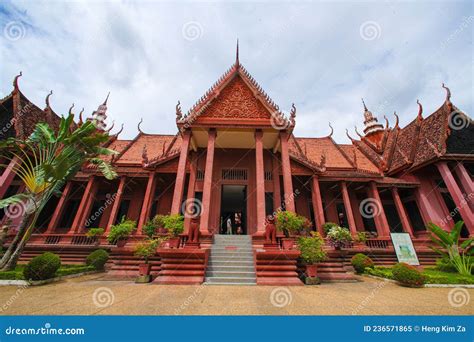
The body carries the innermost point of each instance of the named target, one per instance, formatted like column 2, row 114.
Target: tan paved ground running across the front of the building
column 92, row 294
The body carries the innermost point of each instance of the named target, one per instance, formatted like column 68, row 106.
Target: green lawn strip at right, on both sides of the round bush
column 433, row 276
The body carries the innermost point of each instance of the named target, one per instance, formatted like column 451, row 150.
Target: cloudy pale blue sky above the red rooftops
column 322, row 56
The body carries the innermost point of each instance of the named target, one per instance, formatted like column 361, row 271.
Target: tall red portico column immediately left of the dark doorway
column 207, row 188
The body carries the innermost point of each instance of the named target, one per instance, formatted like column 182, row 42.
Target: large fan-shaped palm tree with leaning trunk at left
column 48, row 160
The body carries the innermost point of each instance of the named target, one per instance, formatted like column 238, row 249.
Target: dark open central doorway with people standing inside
column 233, row 207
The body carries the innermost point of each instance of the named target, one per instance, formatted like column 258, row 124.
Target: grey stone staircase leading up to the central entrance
column 231, row 261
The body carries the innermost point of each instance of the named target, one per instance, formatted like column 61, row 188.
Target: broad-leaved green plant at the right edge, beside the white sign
column 450, row 247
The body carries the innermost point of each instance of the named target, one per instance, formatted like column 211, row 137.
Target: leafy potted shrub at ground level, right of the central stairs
column 312, row 253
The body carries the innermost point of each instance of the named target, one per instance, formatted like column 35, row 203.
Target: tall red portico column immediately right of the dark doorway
column 260, row 181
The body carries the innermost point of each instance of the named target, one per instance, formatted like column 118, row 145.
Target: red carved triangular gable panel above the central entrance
column 235, row 101
